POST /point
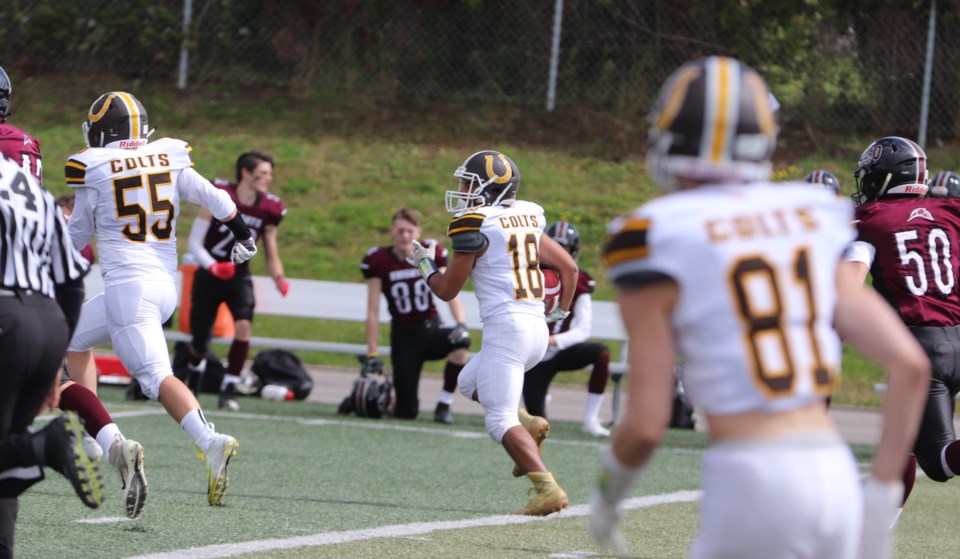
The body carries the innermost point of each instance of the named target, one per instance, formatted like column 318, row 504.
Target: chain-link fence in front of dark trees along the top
column 834, row 68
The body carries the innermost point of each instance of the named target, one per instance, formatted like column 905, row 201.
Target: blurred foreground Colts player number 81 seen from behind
column 740, row 279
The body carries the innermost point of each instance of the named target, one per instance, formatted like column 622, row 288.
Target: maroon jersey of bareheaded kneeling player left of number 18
column 408, row 296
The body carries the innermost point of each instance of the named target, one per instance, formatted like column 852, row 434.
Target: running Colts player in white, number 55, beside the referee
column 128, row 195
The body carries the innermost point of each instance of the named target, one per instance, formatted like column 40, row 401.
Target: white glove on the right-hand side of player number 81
column 880, row 503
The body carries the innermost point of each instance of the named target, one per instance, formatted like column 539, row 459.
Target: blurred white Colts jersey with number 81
column 756, row 266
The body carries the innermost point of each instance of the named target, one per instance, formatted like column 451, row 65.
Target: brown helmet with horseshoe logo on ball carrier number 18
column 487, row 178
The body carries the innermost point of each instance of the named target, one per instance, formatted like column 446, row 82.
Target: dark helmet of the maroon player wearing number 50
column 891, row 166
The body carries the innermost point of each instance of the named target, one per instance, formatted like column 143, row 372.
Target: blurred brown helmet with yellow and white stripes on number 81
column 713, row 122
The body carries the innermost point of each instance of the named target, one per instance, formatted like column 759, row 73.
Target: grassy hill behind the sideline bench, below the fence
column 345, row 165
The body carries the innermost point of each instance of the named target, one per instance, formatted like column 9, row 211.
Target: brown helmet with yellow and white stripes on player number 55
column 117, row 119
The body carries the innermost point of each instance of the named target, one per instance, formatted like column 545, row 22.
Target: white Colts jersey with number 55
column 130, row 199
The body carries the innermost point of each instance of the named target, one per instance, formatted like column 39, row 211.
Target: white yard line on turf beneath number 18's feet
column 401, row 530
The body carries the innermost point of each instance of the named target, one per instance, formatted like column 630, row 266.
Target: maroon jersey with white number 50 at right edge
column 915, row 267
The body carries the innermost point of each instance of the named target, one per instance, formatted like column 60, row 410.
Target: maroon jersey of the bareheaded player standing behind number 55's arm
column 266, row 210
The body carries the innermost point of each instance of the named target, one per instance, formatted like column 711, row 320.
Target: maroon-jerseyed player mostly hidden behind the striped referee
column 126, row 456
